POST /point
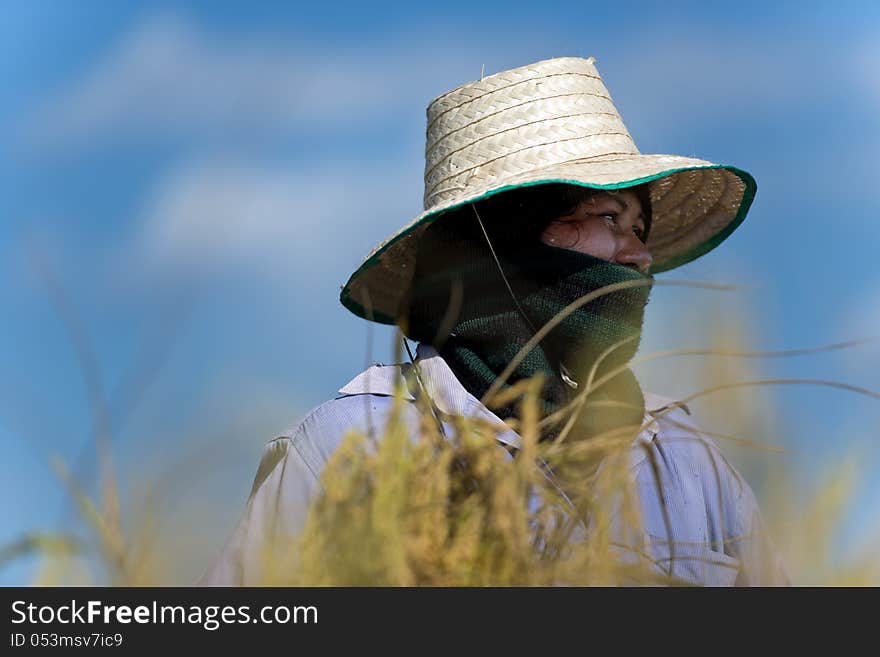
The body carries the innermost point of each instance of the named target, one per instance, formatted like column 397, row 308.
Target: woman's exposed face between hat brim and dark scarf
column 608, row 226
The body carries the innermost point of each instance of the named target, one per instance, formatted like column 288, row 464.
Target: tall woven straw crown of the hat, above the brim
column 549, row 113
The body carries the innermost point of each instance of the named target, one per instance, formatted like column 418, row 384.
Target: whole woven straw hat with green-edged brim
column 552, row 121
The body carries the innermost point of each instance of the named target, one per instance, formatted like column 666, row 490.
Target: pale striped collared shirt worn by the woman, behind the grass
column 700, row 518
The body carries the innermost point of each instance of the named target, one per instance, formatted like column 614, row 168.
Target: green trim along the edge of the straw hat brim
column 701, row 249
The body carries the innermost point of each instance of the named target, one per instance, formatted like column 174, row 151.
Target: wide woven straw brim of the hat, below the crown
column 695, row 205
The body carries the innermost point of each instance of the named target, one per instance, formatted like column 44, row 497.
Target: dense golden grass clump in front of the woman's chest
column 449, row 511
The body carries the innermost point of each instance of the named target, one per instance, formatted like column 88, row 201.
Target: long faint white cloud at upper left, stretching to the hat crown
column 167, row 78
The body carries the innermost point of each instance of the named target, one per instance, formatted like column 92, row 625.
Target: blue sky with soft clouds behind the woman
column 200, row 178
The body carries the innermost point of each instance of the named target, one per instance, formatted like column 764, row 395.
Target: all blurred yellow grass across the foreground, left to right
column 433, row 511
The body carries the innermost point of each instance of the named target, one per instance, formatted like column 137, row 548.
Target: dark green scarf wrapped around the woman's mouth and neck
column 488, row 330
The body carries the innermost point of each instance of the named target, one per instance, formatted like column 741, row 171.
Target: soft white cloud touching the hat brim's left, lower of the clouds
column 212, row 216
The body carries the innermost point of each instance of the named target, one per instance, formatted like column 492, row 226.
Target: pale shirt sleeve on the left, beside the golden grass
column 283, row 489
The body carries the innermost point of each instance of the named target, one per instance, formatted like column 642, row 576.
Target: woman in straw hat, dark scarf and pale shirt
column 536, row 196
